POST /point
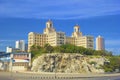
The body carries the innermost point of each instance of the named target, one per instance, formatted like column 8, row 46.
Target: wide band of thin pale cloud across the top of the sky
column 58, row 9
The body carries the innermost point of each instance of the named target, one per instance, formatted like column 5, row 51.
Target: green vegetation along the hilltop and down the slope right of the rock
column 110, row 66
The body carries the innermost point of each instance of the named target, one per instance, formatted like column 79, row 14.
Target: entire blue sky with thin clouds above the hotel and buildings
column 95, row 17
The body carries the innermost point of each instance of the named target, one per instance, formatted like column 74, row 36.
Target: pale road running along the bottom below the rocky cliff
column 48, row 76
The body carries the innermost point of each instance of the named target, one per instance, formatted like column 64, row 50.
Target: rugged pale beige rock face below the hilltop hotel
column 67, row 63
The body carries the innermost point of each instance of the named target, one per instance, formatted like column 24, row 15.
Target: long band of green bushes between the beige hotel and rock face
column 66, row 48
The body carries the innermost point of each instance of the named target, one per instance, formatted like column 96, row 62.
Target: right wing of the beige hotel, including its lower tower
column 79, row 40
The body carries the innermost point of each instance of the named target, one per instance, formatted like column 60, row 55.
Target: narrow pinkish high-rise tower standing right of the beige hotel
column 100, row 45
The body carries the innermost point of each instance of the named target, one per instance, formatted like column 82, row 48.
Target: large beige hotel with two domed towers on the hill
column 59, row 38
